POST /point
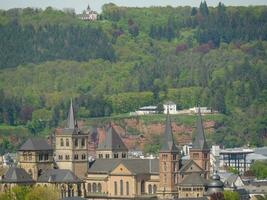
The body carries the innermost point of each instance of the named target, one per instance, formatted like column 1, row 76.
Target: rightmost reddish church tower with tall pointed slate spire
column 200, row 152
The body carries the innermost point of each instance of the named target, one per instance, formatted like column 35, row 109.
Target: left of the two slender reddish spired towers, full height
column 169, row 159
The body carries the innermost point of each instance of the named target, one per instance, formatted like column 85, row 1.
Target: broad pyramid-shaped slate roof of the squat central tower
column 112, row 141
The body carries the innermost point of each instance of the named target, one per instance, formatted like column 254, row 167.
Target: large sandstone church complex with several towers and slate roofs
column 63, row 163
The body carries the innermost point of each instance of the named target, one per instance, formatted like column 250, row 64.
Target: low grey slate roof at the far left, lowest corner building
column 17, row 175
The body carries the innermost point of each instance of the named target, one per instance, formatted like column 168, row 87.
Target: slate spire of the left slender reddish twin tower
column 168, row 142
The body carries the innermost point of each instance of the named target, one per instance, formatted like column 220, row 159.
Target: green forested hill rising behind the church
column 132, row 57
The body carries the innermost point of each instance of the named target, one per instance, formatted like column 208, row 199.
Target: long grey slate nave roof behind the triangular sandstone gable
column 136, row 166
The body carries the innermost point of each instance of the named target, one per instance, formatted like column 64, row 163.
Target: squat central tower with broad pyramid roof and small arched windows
column 112, row 146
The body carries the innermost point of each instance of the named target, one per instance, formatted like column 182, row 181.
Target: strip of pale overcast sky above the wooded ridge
column 80, row 5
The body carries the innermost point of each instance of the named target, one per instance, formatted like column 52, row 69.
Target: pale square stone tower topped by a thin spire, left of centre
column 71, row 147
